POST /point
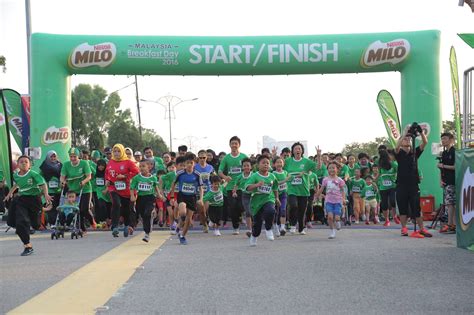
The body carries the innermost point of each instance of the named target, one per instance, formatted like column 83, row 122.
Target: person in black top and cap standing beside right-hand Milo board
column 446, row 166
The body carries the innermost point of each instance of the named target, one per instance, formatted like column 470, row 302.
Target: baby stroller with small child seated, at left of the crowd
column 67, row 219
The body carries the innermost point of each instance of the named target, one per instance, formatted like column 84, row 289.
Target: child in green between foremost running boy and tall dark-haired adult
column 282, row 178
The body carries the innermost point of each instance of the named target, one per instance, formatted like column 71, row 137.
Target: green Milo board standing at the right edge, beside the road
column 465, row 197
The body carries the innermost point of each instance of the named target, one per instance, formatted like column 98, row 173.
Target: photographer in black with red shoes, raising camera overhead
column 408, row 191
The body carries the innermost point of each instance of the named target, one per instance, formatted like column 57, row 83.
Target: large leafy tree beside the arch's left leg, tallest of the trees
column 93, row 110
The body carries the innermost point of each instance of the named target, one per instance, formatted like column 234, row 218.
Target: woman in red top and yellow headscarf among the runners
column 120, row 170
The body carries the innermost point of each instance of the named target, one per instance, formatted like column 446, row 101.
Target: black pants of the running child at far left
column 25, row 210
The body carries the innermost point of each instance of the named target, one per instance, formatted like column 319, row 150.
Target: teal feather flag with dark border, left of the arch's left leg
column 13, row 105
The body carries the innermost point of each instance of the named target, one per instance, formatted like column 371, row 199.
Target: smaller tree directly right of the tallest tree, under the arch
column 123, row 130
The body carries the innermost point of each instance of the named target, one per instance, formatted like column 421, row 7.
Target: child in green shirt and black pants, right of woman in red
column 147, row 186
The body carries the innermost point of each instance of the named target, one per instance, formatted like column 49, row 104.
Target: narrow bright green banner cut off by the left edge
column 5, row 151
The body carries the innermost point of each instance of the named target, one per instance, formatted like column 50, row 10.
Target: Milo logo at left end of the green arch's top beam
column 86, row 55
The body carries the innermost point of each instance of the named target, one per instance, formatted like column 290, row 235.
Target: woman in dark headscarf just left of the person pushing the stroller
column 50, row 169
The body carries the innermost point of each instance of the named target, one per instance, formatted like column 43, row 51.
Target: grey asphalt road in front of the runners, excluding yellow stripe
column 361, row 271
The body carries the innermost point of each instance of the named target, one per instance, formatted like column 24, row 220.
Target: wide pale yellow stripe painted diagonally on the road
column 92, row 285
